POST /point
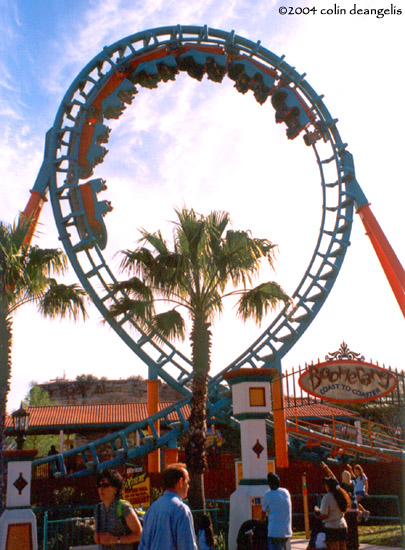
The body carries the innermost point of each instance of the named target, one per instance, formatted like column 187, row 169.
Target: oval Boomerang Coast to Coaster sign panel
column 347, row 381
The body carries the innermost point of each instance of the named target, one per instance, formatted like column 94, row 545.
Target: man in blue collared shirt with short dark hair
column 168, row 524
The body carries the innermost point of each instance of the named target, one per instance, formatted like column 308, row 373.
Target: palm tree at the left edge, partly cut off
column 25, row 278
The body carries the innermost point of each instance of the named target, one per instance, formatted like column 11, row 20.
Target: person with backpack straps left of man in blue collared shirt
column 117, row 524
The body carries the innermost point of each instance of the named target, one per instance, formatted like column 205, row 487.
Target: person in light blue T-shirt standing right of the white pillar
column 277, row 507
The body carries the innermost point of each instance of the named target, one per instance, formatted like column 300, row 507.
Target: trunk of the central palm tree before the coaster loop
column 197, row 432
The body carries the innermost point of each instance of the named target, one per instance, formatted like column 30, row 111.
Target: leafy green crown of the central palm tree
column 206, row 257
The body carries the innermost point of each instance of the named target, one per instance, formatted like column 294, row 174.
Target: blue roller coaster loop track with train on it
column 75, row 145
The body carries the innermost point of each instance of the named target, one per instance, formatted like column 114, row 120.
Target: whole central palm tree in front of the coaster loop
column 206, row 260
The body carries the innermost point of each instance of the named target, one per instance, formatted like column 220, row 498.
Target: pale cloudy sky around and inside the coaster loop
column 205, row 146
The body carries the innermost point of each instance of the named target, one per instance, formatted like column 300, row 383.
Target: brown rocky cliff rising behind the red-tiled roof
column 88, row 390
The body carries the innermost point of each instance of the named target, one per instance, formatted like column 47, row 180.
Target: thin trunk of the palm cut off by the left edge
column 5, row 369
